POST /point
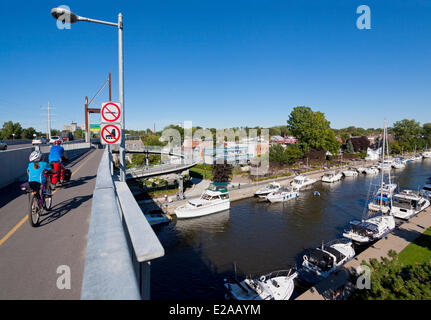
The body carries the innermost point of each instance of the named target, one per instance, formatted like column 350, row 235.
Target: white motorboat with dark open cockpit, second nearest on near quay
column 321, row 262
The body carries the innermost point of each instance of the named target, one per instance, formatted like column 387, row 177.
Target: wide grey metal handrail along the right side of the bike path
column 120, row 242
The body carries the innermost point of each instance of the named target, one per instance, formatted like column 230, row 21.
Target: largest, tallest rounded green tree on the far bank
column 312, row 130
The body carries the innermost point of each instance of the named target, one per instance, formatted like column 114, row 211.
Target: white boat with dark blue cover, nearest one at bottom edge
column 277, row 285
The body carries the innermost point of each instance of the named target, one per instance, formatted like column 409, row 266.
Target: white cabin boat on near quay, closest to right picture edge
column 407, row 204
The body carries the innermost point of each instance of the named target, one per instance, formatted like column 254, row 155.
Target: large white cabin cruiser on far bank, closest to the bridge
column 212, row 200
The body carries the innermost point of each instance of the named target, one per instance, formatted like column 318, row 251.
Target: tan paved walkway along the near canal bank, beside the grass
column 397, row 241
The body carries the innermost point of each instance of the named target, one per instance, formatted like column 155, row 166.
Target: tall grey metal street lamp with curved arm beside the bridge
column 63, row 14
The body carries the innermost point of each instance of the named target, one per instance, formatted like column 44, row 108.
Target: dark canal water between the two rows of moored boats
column 261, row 237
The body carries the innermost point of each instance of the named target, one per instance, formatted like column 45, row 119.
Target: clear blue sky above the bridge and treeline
column 220, row 63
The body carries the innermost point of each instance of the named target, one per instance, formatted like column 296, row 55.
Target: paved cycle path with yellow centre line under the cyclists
column 29, row 257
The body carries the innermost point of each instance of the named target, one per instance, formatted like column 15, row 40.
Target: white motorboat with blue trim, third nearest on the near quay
column 369, row 230
